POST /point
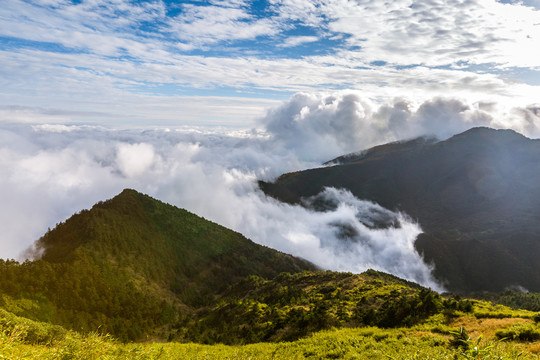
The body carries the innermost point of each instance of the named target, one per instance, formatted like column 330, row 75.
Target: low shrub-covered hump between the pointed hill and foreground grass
column 293, row 306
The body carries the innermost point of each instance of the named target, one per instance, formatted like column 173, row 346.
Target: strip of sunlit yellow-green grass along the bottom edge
column 360, row 343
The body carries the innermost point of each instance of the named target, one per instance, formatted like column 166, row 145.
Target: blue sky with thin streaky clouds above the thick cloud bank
column 225, row 63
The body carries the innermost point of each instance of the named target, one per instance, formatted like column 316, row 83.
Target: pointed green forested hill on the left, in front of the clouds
column 134, row 267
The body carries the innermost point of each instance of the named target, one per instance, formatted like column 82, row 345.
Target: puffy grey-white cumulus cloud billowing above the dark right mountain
column 318, row 125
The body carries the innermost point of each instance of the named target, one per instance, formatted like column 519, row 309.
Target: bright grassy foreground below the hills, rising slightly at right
column 435, row 339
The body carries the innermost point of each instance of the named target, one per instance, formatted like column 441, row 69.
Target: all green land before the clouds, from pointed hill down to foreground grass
column 104, row 280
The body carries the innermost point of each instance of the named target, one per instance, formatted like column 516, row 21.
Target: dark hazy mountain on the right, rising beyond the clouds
column 475, row 195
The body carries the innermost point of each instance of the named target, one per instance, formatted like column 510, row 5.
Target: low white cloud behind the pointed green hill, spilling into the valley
column 210, row 174
